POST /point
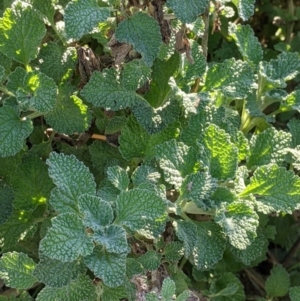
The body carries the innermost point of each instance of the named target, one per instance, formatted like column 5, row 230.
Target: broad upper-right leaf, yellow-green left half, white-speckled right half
column 234, row 79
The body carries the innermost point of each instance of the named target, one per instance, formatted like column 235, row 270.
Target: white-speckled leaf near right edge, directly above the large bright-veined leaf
column 268, row 147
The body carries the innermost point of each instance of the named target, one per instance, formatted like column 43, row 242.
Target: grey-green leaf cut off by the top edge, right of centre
column 187, row 11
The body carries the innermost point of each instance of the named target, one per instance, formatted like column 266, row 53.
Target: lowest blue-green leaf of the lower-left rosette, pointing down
column 110, row 267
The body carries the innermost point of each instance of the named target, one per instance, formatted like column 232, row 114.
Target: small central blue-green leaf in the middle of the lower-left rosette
column 97, row 213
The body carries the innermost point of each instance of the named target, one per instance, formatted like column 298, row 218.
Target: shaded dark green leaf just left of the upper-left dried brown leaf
column 55, row 61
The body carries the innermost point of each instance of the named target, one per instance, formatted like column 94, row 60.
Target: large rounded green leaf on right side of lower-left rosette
column 136, row 207
